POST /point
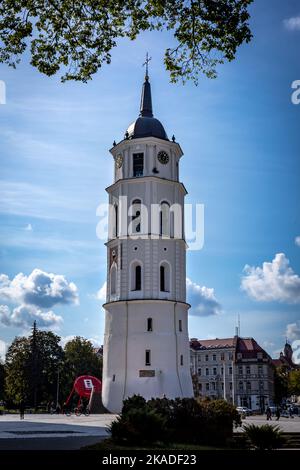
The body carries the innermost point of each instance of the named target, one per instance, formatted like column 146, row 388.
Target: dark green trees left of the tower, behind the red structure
column 34, row 365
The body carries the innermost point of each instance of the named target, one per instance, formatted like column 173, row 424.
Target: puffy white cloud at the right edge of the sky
column 275, row 281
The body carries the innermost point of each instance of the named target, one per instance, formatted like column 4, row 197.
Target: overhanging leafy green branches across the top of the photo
column 77, row 36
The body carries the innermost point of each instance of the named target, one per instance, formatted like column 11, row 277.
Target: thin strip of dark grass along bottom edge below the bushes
column 108, row 444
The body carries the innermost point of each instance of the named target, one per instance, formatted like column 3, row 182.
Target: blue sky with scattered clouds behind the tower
column 240, row 137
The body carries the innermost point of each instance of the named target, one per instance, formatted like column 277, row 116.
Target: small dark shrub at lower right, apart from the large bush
column 265, row 437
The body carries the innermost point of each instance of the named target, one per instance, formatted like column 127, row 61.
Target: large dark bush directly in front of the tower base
column 185, row 420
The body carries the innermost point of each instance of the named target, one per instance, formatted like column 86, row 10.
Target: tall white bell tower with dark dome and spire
column 146, row 345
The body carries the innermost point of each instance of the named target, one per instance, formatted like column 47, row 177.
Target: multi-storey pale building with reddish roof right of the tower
column 236, row 369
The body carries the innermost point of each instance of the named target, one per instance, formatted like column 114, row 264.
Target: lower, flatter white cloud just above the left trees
column 24, row 316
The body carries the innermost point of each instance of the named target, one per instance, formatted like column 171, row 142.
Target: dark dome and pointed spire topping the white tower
column 146, row 125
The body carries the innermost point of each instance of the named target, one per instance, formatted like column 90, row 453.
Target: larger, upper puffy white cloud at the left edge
column 40, row 289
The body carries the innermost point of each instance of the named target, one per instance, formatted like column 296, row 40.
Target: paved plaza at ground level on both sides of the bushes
column 44, row 432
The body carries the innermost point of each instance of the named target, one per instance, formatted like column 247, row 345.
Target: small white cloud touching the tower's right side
column 202, row 299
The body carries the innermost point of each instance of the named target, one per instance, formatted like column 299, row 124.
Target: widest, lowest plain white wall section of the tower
column 127, row 337
